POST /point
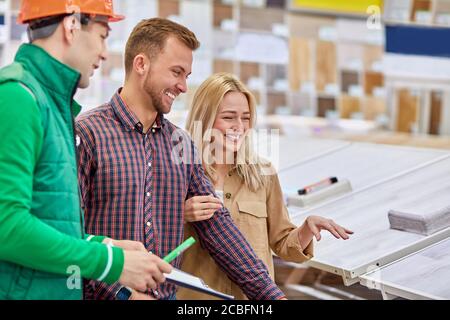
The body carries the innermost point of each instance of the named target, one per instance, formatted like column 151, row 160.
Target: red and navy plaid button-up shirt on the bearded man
column 134, row 187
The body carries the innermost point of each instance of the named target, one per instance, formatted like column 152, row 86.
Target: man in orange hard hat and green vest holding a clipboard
column 44, row 251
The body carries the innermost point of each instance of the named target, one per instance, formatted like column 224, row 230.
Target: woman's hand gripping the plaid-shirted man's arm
column 201, row 208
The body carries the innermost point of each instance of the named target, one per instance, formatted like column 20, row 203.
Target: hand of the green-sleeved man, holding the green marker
column 143, row 270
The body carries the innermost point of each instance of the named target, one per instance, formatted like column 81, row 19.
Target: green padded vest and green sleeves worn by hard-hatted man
column 43, row 248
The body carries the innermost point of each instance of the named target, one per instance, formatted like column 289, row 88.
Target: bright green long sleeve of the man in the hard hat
column 25, row 239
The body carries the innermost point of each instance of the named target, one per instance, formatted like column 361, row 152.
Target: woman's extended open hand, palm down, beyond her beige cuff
column 313, row 225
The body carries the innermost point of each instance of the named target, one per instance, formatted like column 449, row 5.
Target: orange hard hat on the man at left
column 36, row 9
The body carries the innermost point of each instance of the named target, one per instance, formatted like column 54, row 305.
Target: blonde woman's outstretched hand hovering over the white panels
column 315, row 224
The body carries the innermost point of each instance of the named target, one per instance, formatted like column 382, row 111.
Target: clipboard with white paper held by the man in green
column 186, row 280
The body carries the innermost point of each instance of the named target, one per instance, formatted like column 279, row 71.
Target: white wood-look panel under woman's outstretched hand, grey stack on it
column 366, row 213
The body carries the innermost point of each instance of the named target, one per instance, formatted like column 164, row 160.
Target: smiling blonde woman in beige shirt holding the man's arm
column 220, row 120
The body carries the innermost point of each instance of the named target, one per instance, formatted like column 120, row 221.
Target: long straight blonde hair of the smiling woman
column 204, row 109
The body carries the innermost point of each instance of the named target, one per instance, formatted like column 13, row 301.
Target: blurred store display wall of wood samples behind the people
column 313, row 58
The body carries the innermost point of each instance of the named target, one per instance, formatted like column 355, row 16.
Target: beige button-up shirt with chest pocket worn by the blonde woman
column 263, row 219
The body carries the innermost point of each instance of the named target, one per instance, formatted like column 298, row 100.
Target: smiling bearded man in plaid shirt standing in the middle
column 133, row 184
